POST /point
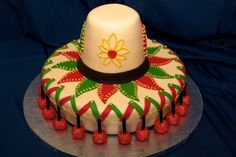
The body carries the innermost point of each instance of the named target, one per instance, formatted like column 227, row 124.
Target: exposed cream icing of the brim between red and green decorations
column 112, row 124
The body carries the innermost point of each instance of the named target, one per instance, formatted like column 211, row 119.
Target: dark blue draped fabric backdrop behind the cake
column 202, row 32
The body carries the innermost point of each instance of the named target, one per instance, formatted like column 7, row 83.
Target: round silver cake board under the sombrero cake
column 157, row 144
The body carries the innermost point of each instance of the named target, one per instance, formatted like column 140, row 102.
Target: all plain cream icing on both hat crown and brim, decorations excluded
column 125, row 24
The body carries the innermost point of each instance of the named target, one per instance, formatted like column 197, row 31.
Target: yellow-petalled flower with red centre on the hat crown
column 113, row 51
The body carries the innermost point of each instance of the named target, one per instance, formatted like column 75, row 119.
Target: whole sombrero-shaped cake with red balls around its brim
column 113, row 80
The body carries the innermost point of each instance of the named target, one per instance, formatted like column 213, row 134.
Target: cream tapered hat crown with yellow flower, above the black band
column 113, row 39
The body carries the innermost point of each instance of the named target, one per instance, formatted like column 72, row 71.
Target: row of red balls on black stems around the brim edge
column 142, row 133
